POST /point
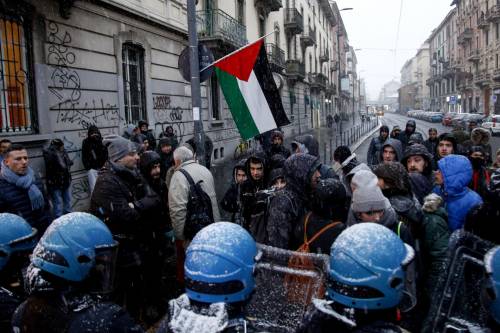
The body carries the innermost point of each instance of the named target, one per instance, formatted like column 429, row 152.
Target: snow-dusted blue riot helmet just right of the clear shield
column 367, row 267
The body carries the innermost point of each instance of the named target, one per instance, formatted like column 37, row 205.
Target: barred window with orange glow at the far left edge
column 16, row 97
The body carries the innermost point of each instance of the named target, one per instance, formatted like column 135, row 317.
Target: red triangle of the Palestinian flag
column 240, row 64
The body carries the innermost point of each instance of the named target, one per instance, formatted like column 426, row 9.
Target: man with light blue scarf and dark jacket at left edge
column 21, row 192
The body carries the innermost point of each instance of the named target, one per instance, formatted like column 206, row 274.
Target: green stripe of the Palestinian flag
column 241, row 115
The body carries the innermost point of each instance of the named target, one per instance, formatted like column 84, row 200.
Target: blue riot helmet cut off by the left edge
column 16, row 235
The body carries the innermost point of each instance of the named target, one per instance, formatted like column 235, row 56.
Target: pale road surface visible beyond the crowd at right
column 393, row 119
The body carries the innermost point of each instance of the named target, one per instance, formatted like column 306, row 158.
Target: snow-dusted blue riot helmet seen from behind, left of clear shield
column 219, row 264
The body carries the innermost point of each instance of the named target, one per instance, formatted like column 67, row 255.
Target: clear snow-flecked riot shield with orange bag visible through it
column 286, row 282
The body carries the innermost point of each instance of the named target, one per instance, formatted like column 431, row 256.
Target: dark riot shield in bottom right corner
column 458, row 293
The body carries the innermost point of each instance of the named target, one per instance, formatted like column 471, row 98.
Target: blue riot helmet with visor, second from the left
column 78, row 247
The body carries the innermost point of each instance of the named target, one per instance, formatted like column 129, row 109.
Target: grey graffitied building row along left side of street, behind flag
column 67, row 65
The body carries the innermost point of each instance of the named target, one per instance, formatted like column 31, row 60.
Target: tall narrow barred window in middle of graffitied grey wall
column 133, row 83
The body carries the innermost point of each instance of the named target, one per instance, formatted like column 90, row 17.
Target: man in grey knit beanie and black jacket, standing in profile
column 123, row 202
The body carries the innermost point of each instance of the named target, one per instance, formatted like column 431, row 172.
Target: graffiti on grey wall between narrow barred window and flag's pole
column 168, row 115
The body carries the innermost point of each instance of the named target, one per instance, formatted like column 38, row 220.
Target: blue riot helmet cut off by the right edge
column 492, row 266
